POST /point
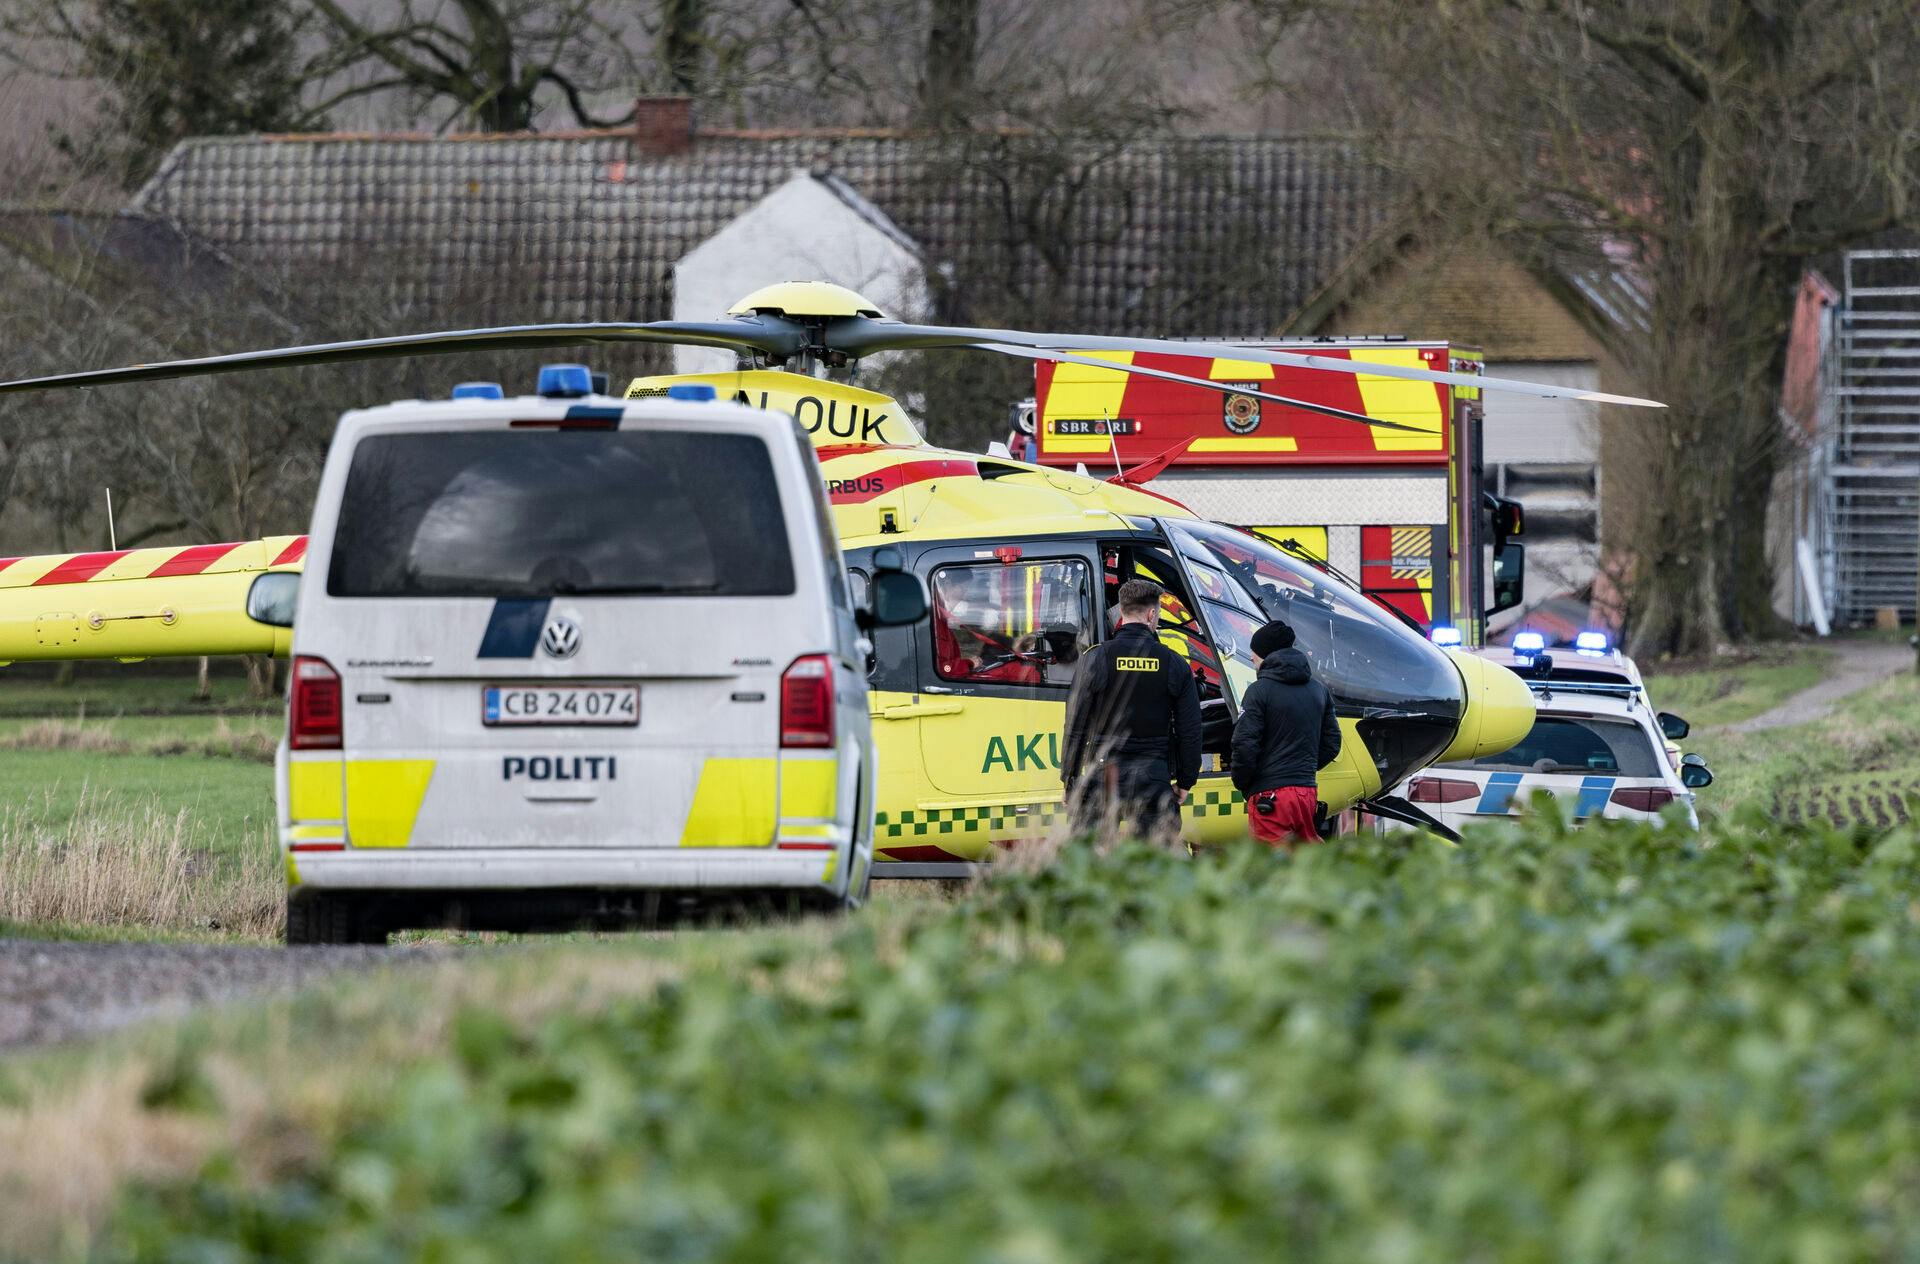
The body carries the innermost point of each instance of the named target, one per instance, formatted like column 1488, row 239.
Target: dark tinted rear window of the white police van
column 487, row 514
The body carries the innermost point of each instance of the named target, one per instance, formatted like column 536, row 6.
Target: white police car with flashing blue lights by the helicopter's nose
column 1596, row 744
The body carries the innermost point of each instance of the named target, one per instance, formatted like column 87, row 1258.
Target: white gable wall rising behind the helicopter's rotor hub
column 802, row 231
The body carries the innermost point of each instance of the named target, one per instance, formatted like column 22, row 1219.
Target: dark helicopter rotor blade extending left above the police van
column 761, row 333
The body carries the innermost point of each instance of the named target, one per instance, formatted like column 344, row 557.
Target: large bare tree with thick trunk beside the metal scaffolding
column 1681, row 160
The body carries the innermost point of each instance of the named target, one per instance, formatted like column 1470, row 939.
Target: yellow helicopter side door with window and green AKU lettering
column 1009, row 625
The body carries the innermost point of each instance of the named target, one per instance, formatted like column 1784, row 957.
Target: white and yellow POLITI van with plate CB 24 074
column 571, row 662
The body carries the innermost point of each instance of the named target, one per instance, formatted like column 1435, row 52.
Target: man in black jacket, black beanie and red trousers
column 1285, row 735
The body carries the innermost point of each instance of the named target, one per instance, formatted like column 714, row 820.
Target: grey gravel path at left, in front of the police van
column 57, row 990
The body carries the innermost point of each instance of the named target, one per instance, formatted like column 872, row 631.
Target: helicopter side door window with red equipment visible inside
column 1024, row 623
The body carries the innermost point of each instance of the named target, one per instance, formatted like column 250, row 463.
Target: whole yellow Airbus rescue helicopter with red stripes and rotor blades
column 1022, row 566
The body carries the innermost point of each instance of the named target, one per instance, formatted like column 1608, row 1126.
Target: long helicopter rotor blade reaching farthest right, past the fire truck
column 865, row 337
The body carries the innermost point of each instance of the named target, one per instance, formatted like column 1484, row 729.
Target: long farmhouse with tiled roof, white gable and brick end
column 1170, row 235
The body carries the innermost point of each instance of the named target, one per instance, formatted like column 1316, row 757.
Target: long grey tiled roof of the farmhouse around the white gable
column 602, row 218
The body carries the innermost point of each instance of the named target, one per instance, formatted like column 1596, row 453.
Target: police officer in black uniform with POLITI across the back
column 1134, row 723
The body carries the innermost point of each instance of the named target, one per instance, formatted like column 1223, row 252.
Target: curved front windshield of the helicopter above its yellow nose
column 1360, row 652
